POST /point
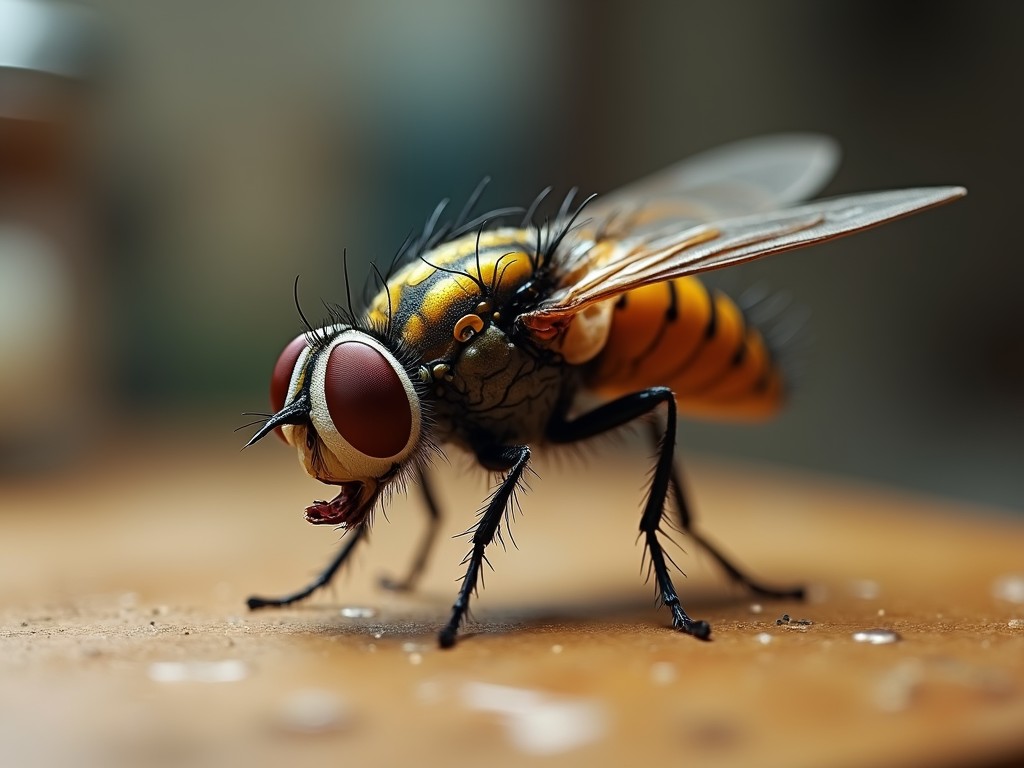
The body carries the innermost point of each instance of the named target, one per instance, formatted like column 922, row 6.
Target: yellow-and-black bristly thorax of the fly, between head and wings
column 453, row 309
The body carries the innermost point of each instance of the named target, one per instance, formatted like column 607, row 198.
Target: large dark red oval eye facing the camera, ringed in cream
column 368, row 403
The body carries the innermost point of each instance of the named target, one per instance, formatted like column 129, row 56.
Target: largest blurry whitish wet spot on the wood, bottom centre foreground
column 537, row 723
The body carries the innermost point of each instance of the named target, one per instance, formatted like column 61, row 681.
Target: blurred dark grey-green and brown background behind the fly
column 167, row 170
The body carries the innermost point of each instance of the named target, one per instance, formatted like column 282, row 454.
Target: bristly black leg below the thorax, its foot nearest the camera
column 514, row 461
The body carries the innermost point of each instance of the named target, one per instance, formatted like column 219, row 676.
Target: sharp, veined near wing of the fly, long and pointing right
column 620, row 266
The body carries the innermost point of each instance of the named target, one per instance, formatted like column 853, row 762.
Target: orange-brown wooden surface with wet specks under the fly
column 122, row 589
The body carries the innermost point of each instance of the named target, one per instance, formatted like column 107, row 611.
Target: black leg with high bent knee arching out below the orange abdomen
column 614, row 415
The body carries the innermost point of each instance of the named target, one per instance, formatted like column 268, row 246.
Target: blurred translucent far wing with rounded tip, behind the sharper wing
column 750, row 177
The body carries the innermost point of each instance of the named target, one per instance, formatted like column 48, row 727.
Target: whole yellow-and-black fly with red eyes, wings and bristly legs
column 486, row 335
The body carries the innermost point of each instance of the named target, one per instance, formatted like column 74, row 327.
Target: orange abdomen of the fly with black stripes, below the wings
column 680, row 335
